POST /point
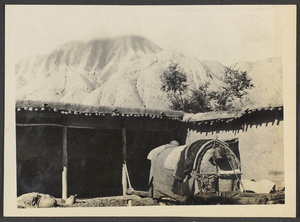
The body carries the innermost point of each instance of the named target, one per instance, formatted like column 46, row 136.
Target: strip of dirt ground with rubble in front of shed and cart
column 37, row 200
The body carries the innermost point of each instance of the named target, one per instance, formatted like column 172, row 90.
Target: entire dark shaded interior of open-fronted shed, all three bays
column 94, row 159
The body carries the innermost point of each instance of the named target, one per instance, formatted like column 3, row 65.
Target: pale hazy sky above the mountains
column 224, row 33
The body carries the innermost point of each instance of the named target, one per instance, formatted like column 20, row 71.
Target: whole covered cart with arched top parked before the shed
column 206, row 168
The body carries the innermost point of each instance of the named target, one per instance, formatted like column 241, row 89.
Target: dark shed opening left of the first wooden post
column 39, row 159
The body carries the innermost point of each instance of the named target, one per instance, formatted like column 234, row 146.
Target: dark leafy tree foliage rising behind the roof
column 174, row 83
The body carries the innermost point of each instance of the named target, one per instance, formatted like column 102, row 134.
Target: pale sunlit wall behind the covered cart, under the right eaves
column 261, row 149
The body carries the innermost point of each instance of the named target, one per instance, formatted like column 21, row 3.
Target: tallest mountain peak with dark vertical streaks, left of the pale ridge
column 78, row 66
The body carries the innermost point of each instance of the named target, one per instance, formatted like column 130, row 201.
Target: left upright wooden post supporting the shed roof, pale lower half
column 65, row 165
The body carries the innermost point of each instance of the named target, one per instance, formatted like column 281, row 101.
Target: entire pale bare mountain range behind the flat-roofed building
column 125, row 71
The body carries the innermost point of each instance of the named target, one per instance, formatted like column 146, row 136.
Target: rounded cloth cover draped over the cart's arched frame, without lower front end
column 171, row 167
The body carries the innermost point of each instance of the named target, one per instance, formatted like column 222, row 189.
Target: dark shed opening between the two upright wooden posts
column 95, row 162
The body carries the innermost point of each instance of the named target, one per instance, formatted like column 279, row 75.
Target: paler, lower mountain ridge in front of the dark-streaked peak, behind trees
column 138, row 83
